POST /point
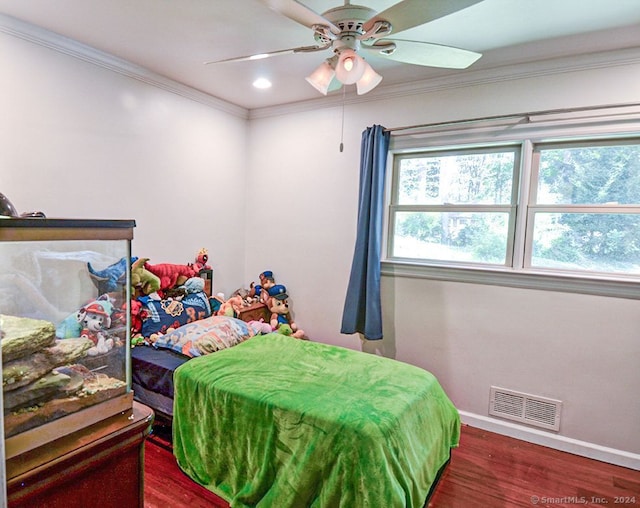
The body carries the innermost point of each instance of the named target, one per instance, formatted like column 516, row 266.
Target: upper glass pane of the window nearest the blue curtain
column 471, row 178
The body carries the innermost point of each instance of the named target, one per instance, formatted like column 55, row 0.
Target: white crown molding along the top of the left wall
column 37, row 35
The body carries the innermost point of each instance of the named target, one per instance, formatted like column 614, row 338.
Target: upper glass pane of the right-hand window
column 590, row 175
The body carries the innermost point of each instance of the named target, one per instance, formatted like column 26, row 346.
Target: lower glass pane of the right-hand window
column 584, row 241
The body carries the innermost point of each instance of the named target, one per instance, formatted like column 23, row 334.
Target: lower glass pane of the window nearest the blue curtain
column 452, row 236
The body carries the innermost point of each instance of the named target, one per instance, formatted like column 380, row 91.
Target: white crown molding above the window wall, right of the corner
column 549, row 67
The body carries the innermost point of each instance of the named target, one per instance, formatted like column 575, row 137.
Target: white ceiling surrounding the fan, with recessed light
column 173, row 38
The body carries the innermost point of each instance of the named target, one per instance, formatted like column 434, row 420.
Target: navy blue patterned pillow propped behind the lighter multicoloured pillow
column 165, row 314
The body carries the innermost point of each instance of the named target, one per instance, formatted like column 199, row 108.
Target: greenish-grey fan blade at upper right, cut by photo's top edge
column 409, row 13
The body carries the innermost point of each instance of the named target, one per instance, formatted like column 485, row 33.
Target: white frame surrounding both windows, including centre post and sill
column 588, row 126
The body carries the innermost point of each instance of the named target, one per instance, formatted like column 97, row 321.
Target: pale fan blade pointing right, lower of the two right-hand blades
column 424, row 53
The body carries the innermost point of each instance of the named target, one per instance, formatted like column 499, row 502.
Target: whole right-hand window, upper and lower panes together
column 585, row 209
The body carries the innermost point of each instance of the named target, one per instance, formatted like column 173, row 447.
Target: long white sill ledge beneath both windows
column 567, row 283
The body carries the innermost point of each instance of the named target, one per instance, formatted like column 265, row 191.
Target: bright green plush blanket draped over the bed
column 279, row 422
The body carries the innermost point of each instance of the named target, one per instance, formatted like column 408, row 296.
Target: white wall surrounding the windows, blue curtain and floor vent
column 583, row 350
